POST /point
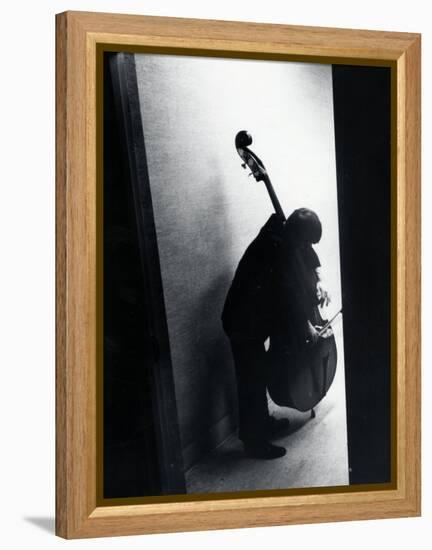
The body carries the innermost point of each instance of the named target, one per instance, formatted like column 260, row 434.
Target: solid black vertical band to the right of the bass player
column 362, row 114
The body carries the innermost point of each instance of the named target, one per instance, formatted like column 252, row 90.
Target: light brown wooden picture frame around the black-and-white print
column 81, row 39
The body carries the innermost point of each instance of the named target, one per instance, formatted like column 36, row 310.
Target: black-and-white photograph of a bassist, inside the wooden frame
column 247, row 214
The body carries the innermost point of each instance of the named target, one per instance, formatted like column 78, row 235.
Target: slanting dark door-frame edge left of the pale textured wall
column 155, row 331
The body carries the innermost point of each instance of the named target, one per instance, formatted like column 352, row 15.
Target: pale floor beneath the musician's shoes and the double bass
column 316, row 456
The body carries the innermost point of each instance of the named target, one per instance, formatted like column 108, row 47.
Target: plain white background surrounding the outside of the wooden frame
column 27, row 273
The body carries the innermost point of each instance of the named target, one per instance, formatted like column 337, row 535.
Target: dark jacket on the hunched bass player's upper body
column 268, row 295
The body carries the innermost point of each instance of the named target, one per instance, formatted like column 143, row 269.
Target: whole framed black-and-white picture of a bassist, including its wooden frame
column 238, row 274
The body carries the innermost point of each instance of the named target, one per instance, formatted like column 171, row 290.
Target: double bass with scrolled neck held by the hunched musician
column 298, row 376
